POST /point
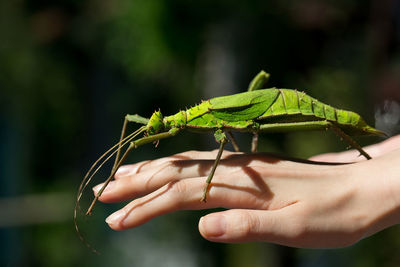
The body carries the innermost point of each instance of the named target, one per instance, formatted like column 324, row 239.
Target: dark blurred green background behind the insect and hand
column 70, row 71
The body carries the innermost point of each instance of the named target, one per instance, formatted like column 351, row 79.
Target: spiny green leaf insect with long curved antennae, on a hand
column 256, row 111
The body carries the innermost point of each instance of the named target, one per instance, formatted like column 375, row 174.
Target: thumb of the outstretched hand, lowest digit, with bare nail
column 240, row 225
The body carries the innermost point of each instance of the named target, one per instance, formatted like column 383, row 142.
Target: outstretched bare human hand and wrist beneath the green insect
column 268, row 198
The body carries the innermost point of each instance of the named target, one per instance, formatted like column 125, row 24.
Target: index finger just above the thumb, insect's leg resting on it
column 186, row 194
